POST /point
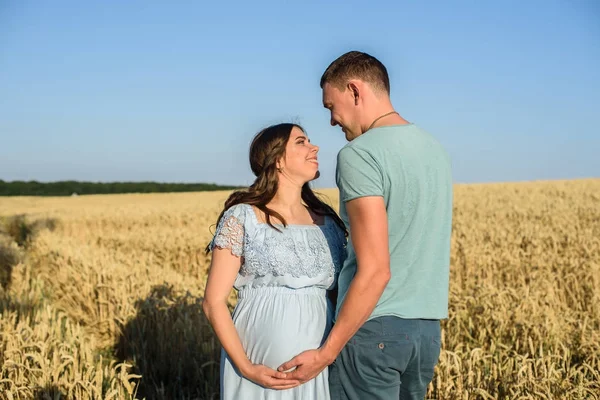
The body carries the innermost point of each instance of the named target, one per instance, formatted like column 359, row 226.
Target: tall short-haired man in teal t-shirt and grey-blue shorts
column 395, row 188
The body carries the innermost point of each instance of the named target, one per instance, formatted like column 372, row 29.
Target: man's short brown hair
column 356, row 65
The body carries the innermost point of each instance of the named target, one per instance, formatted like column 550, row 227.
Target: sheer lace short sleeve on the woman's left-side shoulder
column 230, row 231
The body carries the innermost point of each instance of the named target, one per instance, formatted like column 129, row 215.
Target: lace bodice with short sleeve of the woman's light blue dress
column 298, row 256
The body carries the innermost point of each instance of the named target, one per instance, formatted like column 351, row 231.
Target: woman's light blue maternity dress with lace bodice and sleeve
column 282, row 307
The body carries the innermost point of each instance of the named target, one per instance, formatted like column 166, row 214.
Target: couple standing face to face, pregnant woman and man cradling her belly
column 336, row 307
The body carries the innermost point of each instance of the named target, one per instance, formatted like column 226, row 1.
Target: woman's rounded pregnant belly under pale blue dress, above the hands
column 275, row 325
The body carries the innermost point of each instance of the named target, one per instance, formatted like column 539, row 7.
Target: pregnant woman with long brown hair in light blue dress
column 281, row 248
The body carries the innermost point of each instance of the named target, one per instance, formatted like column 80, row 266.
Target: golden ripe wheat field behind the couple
column 101, row 295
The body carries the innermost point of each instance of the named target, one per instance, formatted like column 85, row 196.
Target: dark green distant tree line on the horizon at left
column 68, row 188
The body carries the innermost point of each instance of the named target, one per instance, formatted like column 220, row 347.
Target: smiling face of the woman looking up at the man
column 300, row 160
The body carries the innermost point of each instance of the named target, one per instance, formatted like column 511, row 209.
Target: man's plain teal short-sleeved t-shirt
column 411, row 170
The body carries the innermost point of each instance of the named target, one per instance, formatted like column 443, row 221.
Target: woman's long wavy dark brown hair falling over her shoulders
column 268, row 147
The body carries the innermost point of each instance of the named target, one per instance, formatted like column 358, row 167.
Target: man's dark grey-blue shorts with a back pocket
column 388, row 358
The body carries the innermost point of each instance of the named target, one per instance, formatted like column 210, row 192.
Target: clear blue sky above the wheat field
column 174, row 90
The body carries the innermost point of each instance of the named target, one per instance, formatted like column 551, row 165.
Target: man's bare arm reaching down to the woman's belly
column 369, row 233
